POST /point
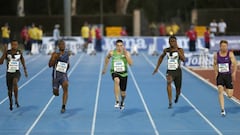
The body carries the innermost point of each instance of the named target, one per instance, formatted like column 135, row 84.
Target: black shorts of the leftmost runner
column 10, row 77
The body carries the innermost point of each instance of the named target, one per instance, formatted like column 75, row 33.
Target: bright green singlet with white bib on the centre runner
column 119, row 64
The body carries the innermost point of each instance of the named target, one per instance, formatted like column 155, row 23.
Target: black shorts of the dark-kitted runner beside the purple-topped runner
column 176, row 77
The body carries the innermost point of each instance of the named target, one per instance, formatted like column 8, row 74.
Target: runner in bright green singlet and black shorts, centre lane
column 121, row 58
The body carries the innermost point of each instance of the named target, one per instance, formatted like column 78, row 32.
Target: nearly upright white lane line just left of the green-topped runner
column 97, row 96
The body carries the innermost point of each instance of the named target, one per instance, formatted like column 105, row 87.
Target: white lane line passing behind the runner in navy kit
column 50, row 100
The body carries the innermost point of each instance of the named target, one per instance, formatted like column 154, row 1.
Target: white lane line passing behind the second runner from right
column 189, row 102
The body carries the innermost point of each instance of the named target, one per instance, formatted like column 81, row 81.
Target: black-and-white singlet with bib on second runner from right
column 173, row 60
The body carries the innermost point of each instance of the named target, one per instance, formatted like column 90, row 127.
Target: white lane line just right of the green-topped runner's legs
column 144, row 103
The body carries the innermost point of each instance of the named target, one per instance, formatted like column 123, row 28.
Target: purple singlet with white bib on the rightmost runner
column 224, row 63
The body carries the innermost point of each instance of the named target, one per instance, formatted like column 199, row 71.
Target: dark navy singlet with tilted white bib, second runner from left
column 61, row 64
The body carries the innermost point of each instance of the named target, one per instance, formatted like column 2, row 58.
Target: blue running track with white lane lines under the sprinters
column 90, row 108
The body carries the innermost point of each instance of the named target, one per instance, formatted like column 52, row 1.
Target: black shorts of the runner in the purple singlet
column 225, row 80
